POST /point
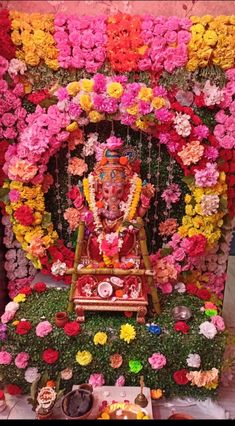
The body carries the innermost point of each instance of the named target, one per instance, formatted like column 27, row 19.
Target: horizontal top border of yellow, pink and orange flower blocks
column 124, row 42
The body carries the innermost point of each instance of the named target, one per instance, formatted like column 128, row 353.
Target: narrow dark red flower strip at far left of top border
column 7, row 48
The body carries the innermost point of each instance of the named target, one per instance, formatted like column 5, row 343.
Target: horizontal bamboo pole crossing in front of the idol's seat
column 109, row 271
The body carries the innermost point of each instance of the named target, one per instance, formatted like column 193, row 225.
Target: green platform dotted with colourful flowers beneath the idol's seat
column 176, row 358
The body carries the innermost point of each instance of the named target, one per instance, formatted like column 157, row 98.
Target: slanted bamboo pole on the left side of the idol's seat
column 78, row 252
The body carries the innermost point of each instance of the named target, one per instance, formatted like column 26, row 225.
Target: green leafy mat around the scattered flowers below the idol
column 173, row 345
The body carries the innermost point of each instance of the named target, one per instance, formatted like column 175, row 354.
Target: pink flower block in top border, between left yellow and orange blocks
column 81, row 41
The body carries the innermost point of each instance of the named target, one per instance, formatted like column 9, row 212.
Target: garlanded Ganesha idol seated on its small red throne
column 112, row 268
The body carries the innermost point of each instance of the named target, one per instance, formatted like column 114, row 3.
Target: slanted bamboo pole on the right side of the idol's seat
column 148, row 266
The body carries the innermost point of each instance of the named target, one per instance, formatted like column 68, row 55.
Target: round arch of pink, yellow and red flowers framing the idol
column 155, row 111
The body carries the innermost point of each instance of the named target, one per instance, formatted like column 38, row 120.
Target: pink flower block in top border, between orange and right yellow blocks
column 167, row 39
